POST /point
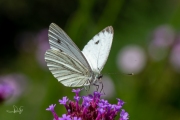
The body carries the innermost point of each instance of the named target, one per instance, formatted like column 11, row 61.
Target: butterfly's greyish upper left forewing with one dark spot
column 60, row 41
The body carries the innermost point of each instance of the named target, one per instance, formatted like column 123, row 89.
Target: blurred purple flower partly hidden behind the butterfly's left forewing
column 42, row 46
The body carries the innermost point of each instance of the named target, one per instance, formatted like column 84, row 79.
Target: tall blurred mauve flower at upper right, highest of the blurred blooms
column 163, row 38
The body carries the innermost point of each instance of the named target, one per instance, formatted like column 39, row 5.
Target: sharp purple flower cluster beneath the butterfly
column 91, row 108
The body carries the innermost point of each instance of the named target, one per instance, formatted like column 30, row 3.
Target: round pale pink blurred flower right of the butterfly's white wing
column 131, row 59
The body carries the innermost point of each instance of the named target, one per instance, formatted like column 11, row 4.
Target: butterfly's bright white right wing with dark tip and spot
column 97, row 49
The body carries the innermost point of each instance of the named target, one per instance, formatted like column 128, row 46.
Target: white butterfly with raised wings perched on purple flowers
column 72, row 67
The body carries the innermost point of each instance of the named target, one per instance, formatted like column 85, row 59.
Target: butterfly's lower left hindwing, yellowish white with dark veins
column 69, row 71
